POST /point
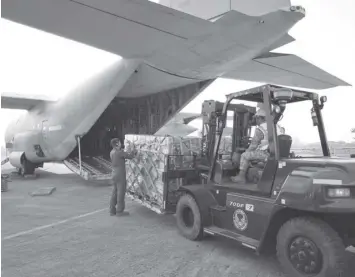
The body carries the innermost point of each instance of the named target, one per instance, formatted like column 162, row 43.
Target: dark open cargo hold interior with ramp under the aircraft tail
column 143, row 115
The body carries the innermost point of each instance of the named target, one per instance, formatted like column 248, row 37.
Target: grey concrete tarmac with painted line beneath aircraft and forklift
column 70, row 233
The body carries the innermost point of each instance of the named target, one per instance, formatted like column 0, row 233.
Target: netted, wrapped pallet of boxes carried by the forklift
column 161, row 166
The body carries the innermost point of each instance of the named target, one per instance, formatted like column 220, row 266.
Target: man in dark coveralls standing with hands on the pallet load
column 118, row 157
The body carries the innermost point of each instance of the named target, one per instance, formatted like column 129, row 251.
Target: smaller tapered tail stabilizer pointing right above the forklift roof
column 286, row 70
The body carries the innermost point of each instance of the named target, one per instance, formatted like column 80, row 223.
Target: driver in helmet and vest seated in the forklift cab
column 258, row 149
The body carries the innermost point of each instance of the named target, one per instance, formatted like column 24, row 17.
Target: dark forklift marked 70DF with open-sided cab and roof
column 301, row 207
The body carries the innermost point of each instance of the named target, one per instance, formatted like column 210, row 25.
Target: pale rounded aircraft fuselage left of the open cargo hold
column 54, row 126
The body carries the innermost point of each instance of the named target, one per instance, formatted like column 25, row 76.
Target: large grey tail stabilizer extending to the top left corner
column 129, row 28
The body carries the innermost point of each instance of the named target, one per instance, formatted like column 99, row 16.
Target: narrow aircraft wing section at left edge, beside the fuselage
column 21, row 102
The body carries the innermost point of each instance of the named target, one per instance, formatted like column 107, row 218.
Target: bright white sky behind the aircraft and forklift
column 35, row 62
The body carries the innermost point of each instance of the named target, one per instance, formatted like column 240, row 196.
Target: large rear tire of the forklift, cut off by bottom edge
column 308, row 246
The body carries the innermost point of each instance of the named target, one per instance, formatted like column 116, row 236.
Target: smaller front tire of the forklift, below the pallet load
column 188, row 218
